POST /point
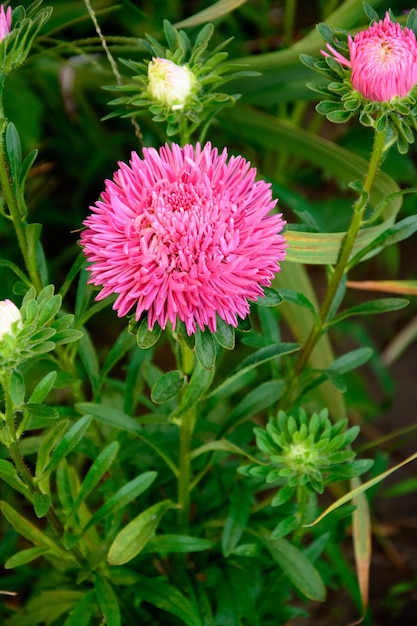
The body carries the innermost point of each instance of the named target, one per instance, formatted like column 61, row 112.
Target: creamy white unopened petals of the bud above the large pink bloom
column 169, row 83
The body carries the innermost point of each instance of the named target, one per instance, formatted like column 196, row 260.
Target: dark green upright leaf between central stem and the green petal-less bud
column 237, row 517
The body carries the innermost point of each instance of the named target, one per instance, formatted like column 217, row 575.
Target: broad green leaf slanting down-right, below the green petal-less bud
column 296, row 566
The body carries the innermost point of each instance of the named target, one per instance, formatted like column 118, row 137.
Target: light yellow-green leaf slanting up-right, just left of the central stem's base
column 134, row 537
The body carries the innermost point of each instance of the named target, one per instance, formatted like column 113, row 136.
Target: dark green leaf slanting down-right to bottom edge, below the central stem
column 162, row 595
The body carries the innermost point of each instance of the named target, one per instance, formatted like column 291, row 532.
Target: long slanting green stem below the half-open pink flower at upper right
column 339, row 269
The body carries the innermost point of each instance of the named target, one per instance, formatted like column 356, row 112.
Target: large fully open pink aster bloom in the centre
column 184, row 233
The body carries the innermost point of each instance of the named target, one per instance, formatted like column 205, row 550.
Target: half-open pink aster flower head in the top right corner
column 383, row 60
